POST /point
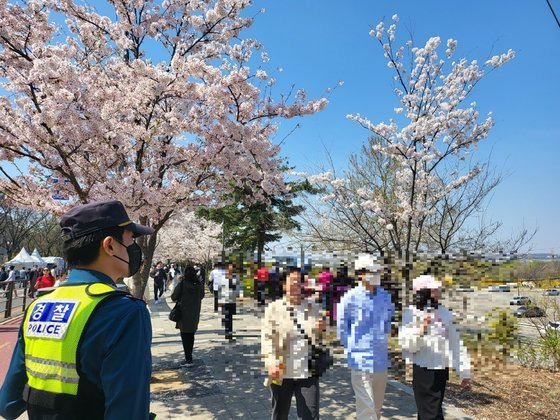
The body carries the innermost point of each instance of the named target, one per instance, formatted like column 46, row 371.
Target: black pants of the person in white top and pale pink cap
column 429, row 387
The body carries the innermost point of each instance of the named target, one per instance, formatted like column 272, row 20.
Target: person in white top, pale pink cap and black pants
column 432, row 344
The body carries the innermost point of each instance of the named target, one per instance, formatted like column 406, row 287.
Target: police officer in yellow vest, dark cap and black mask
column 83, row 350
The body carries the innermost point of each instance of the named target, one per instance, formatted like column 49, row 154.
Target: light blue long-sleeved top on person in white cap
column 363, row 327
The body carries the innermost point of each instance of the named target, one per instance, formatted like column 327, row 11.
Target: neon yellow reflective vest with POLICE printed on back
column 52, row 329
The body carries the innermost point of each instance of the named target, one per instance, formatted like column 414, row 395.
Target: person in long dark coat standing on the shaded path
column 189, row 292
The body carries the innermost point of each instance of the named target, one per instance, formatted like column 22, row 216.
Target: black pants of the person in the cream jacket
column 307, row 398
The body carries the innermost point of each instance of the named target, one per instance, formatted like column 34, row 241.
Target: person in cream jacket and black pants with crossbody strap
column 290, row 327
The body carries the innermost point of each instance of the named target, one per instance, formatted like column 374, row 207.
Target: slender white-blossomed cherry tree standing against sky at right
column 428, row 144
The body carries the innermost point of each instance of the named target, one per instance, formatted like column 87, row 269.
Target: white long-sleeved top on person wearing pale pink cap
column 440, row 348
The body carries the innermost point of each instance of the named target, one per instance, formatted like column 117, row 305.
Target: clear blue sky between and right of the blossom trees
column 317, row 43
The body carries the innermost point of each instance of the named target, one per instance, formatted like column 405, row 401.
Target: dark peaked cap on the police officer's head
column 93, row 217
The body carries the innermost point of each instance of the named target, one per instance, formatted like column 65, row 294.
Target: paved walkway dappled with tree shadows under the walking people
column 227, row 379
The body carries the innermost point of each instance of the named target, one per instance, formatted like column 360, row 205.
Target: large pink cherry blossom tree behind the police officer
column 150, row 102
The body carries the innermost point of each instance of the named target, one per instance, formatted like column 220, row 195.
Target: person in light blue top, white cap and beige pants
column 363, row 326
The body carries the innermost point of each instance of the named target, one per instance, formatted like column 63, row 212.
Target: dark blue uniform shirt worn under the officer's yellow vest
column 115, row 355
